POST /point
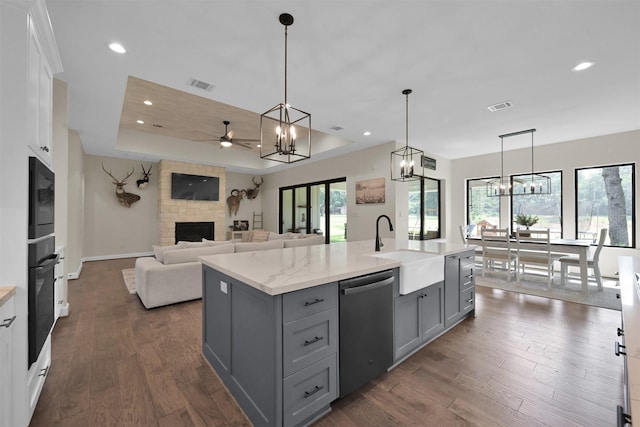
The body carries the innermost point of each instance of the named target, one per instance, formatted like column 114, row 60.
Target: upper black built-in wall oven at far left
column 41, row 199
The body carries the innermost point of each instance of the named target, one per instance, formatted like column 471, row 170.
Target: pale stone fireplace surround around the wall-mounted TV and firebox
column 171, row 211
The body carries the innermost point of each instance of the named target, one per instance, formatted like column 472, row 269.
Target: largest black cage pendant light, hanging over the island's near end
column 285, row 131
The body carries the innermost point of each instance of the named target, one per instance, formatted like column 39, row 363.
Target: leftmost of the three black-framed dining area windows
column 481, row 209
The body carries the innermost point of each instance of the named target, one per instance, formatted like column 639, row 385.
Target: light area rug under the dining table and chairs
column 571, row 291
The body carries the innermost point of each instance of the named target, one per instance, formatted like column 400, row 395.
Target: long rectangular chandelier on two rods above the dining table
column 508, row 185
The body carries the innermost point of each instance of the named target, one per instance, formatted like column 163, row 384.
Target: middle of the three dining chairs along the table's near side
column 538, row 255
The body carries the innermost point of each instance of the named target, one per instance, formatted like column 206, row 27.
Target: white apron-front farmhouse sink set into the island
column 417, row 269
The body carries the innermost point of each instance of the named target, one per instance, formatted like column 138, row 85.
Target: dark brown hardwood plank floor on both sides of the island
column 524, row 361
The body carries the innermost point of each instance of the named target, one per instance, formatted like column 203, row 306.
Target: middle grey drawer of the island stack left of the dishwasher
column 308, row 340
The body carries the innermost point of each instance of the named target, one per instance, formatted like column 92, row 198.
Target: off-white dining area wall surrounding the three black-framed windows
column 566, row 157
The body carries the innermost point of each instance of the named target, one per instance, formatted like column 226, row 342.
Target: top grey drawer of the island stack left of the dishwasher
column 296, row 305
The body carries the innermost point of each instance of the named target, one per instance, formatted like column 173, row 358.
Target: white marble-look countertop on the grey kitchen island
column 278, row 271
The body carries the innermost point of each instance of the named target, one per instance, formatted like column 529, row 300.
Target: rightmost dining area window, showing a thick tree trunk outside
column 605, row 199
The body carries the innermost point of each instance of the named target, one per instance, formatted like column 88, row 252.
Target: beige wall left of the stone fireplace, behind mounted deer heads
column 112, row 230
